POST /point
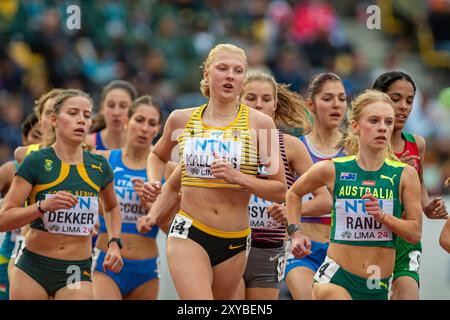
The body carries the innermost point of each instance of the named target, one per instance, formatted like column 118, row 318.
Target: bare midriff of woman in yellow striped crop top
column 221, row 209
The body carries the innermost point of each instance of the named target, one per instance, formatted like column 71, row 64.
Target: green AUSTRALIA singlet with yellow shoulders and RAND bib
column 350, row 223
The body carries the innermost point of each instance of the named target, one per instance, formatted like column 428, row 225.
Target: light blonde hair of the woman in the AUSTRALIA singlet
column 350, row 140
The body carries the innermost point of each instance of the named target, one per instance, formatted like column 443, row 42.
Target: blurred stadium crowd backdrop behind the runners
column 159, row 46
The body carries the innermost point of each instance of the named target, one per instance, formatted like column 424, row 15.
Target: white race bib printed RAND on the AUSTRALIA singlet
column 354, row 224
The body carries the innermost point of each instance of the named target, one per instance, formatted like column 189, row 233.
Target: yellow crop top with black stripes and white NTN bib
column 199, row 142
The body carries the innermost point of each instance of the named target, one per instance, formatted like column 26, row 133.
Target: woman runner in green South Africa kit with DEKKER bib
column 64, row 184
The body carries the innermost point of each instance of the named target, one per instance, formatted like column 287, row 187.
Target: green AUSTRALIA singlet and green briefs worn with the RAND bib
column 352, row 225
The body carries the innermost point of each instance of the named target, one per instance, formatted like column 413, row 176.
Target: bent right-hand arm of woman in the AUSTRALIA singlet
column 409, row 229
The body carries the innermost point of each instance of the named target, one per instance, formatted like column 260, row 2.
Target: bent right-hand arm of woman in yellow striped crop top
column 273, row 189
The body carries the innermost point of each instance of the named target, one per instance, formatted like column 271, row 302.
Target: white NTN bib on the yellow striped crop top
column 198, row 154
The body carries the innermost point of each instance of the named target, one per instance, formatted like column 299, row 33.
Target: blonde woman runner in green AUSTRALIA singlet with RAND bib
column 370, row 190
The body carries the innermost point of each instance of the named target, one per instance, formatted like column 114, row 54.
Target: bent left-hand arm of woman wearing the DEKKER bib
column 13, row 215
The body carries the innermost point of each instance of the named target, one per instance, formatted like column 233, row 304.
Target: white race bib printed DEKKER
column 78, row 220
